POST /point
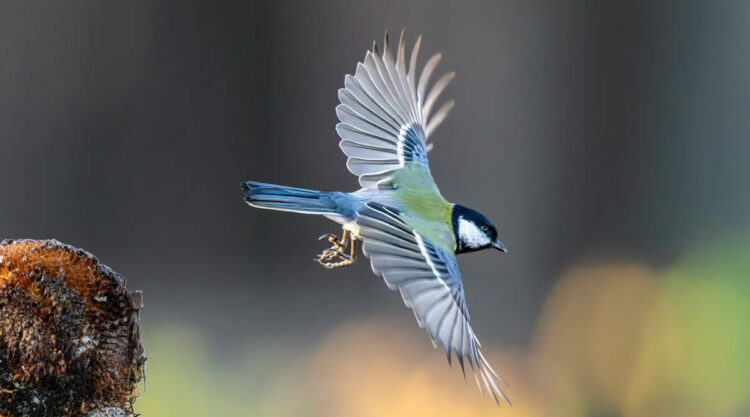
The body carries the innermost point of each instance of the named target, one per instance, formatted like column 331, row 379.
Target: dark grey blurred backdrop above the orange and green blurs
column 582, row 128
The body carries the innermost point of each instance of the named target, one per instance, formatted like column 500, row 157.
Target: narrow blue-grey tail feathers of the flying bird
column 279, row 197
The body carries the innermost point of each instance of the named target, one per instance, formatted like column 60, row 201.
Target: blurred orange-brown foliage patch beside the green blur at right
column 588, row 336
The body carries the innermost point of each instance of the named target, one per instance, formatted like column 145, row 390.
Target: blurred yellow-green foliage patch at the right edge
column 695, row 360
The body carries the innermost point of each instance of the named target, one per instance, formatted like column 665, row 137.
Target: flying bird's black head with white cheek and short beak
column 473, row 231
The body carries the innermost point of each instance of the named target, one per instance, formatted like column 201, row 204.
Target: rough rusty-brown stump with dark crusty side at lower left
column 69, row 333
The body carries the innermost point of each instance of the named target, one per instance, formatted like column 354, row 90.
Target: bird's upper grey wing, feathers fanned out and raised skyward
column 385, row 113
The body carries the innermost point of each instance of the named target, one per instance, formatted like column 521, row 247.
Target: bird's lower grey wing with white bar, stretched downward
column 430, row 283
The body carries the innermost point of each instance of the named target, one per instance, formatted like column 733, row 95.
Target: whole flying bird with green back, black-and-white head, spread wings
column 408, row 230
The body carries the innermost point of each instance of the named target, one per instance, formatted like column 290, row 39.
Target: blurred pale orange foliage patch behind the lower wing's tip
column 373, row 369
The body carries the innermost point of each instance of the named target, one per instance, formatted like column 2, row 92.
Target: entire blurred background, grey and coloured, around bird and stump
column 607, row 141
